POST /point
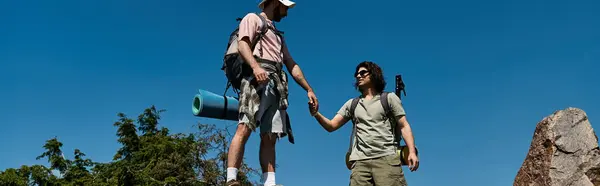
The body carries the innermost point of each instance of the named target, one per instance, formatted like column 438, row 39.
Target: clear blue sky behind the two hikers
column 479, row 75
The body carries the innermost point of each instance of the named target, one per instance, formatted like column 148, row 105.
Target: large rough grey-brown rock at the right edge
column 564, row 152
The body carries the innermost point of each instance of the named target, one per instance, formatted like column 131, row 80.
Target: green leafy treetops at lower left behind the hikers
column 153, row 157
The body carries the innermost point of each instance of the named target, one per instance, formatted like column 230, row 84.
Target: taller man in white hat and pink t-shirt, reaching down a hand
column 263, row 95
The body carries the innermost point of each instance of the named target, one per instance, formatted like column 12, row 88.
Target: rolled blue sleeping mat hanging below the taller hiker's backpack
column 211, row 105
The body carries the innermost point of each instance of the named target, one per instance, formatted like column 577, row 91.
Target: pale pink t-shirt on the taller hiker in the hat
column 273, row 46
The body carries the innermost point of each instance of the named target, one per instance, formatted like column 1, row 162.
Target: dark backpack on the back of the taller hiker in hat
column 234, row 66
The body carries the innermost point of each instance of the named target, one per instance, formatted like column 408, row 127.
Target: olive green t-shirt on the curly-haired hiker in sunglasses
column 374, row 137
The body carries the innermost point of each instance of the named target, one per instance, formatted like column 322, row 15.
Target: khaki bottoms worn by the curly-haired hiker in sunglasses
column 383, row 171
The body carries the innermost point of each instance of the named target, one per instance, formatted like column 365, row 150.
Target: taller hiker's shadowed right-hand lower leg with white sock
column 267, row 157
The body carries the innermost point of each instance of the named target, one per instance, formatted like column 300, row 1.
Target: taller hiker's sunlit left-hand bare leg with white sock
column 236, row 150
